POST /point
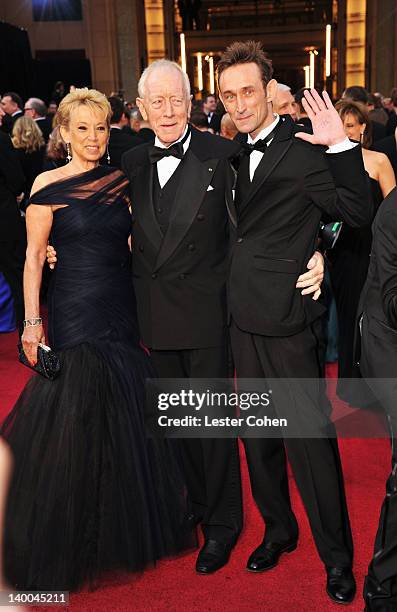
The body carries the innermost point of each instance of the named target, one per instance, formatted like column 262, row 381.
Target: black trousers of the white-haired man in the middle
column 211, row 466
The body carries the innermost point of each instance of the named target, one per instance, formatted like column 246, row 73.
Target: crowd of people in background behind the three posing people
column 29, row 129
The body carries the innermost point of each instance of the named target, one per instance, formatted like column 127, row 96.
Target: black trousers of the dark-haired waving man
column 315, row 462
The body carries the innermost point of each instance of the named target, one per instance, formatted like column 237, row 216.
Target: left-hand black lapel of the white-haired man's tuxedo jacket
column 145, row 206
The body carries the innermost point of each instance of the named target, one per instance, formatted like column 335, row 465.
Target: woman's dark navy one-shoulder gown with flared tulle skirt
column 90, row 492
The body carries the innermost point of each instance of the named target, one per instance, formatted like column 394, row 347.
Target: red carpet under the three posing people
column 297, row 584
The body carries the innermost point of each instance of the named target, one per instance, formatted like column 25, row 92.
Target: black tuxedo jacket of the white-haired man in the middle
column 180, row 278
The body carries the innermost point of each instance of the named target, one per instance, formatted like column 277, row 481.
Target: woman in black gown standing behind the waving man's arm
column 350, row 256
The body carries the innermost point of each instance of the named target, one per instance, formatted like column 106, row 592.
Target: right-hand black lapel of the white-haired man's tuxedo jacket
column 195, row 179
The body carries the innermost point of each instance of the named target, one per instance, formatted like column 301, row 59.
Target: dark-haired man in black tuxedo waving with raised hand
column 285, row 184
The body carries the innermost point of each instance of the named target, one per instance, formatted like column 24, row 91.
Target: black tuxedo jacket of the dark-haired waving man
column 277, row 225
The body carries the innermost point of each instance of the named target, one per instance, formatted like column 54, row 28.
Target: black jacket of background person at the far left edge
column 12, row 183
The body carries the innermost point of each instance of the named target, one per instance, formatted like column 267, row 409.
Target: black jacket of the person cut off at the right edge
column 378, row 300
